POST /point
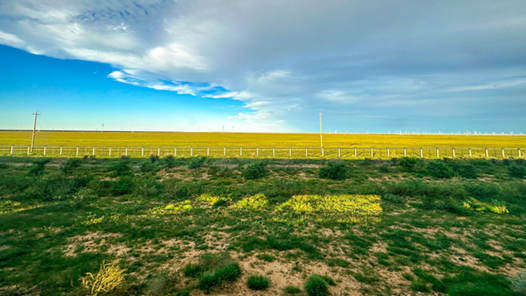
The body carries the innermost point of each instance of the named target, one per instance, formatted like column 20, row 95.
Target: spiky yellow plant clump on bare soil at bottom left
column 106, row 280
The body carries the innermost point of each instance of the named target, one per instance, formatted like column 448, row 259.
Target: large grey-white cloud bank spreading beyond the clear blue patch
column 386, row 64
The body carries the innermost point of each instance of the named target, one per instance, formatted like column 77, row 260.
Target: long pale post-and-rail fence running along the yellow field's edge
column 263, row 152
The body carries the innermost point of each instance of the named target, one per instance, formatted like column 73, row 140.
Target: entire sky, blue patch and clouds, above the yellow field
column 264, row 66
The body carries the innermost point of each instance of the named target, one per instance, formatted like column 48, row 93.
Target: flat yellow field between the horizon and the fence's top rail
column 168, row 139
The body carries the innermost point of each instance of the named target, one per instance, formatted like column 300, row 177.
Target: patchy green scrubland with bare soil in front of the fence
column 169, row 226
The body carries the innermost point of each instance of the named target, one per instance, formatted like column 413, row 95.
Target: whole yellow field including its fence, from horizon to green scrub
column 279, row 145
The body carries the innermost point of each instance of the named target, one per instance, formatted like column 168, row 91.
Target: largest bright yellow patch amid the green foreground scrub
column 340, row 208
